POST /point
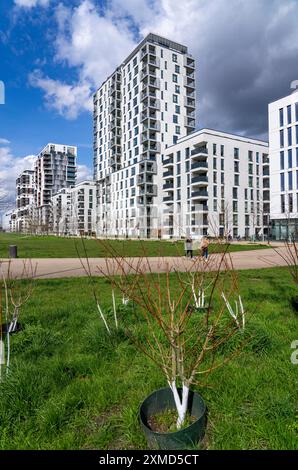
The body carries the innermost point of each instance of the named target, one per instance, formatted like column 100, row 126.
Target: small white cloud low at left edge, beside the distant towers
column 10, row 168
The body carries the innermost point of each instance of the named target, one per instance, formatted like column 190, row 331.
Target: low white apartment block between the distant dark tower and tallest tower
column 74, row 210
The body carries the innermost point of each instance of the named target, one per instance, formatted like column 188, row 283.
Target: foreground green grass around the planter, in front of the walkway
column 73, row 387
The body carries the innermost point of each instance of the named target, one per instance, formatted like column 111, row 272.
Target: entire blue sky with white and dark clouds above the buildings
column 55, row 53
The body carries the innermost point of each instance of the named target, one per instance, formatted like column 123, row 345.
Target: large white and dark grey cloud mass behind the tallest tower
column 243, row 59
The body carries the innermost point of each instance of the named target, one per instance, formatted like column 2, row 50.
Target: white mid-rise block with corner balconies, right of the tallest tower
column 215, row 183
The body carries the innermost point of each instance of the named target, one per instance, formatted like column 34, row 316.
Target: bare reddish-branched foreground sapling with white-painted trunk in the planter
column 185, row 346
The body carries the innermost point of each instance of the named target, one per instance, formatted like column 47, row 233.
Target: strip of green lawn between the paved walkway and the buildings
column 58, row 247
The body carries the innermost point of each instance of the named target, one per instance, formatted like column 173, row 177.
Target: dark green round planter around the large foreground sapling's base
column 163, row 400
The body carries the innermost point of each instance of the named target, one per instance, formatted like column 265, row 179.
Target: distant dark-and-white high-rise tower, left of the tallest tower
column 55, row 168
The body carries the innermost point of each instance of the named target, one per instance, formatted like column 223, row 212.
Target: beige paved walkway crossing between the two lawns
column 72, row 267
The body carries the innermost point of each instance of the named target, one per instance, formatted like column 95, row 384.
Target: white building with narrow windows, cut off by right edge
column 283, row 150
